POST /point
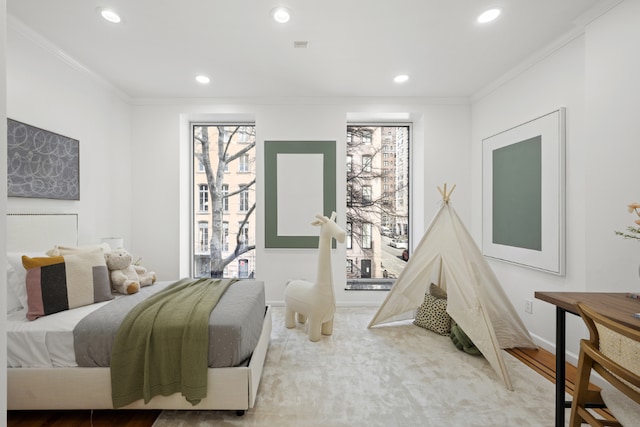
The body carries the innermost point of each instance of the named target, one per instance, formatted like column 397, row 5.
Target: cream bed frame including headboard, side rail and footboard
column 90, row 388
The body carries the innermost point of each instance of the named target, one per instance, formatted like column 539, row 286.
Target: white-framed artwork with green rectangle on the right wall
column 523, row 194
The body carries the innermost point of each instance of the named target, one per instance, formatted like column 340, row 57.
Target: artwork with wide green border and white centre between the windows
column 300, row 182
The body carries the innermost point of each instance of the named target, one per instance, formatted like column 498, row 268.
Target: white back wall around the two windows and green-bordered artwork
column 160, row 134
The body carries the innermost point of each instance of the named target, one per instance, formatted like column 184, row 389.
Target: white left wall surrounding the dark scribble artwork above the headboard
column 62, row 97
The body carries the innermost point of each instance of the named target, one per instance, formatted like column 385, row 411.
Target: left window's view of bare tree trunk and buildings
column 228, row 197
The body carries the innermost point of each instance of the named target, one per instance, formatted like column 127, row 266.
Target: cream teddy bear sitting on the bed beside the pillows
column 127, row 278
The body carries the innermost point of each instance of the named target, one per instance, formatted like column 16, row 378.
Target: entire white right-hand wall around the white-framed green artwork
column 595, row 77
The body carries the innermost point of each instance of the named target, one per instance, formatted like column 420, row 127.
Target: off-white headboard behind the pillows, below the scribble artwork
column 32, row 232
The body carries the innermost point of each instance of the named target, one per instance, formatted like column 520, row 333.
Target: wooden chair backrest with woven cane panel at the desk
column 615, row 351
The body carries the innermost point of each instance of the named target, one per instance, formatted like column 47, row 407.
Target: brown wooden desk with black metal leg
column 616, row 306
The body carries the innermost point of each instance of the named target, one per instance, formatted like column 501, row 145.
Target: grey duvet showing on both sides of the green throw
column 234, row 325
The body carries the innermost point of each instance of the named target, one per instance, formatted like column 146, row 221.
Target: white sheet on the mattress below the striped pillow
column 45, row 342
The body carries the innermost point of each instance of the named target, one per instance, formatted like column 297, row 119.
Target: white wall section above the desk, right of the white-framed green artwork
column 612, row 158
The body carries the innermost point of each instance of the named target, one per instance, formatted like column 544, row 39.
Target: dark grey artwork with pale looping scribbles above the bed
column 41, row 164
